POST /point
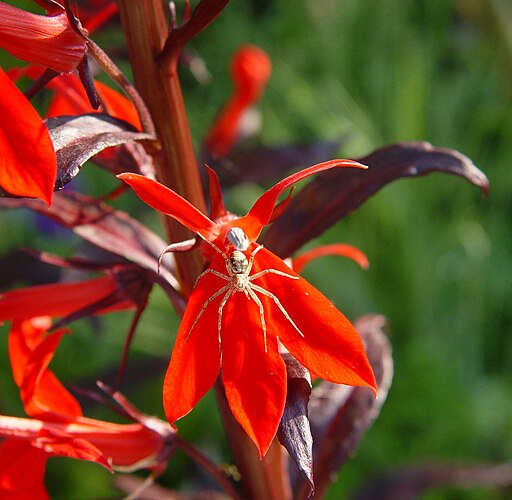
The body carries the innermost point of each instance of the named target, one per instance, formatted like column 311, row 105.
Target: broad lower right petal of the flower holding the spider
column 331, row 347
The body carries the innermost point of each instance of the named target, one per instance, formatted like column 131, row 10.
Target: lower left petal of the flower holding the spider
column 195, row 361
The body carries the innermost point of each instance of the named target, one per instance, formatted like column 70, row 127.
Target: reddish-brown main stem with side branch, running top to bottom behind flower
column 155, row 74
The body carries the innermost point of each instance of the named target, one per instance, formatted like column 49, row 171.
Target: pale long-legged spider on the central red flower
column 240, row 280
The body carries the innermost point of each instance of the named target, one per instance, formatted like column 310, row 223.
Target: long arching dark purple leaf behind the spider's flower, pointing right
column 332, row 195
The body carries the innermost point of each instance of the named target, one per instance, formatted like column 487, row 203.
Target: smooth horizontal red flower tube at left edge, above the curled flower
column 54, row 300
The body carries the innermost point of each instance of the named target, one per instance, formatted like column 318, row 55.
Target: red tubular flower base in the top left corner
column 47, row 40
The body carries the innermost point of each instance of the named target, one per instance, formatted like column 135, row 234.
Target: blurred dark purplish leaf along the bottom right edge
column 410, row 482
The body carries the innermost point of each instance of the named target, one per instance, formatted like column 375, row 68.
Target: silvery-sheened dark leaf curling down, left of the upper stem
column 78, row 138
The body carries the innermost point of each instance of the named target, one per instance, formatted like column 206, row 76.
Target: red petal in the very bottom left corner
column 17, row 458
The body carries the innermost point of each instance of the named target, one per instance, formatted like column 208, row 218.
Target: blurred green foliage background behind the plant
column 370, row 72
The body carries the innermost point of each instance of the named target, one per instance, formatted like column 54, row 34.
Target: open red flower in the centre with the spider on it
column 243, row 307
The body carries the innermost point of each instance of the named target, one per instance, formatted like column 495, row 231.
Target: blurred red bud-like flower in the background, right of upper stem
column 250, row 71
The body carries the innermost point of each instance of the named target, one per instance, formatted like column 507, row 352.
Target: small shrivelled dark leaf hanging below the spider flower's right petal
column 294, row 432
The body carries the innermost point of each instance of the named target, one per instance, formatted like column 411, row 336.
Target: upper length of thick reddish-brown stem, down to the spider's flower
column 145, row 26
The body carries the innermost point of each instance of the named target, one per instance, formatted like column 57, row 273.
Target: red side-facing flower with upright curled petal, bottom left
column 57, row 426
